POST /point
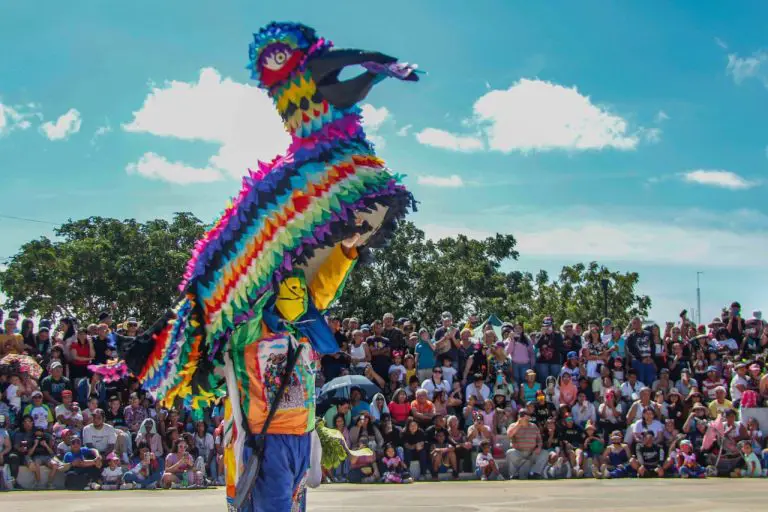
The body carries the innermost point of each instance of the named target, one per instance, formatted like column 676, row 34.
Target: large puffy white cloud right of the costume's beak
column 535, row 115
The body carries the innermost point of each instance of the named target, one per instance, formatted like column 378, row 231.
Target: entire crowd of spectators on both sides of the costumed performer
column 593, row 399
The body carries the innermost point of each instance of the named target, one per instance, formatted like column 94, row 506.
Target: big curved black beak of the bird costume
column 325, row 69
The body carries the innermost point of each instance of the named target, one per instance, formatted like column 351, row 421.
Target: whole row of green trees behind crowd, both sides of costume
column 133, row 269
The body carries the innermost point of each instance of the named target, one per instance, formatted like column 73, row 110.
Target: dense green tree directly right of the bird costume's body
column 419, row 278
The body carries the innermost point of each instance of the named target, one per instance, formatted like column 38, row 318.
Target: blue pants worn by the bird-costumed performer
column 282, row 475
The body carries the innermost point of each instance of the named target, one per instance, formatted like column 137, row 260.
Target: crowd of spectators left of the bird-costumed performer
column 68, row 428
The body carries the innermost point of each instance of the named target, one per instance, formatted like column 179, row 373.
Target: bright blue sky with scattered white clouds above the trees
column 631, row 134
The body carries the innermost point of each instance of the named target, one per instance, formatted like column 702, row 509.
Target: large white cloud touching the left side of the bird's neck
column 240, row 118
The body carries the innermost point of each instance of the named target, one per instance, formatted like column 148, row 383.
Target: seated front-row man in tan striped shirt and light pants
column 524, row 458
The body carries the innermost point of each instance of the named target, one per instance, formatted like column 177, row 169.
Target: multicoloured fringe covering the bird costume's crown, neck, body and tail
column 285, row 211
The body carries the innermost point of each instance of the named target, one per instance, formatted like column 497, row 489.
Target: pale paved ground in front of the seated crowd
column 587, row 495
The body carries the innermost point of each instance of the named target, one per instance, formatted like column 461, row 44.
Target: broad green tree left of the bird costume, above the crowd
column 98, row 263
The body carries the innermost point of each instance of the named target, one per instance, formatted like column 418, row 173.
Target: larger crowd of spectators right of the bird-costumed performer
column 569, row 401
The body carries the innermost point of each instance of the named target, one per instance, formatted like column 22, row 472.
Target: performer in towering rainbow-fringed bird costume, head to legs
column 258, row 283
